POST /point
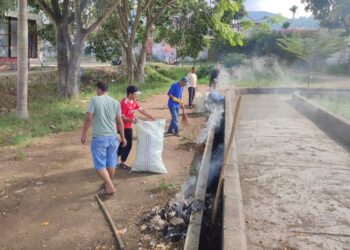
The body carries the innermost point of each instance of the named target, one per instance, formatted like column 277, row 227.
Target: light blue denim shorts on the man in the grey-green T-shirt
column 104, row 151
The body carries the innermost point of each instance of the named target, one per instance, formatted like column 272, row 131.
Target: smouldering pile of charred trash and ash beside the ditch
column 168, row 225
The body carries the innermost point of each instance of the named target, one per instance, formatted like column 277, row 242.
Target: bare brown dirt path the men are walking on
column 47, row 196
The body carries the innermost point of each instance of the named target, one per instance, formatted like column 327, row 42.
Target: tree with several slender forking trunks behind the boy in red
column 130, row 24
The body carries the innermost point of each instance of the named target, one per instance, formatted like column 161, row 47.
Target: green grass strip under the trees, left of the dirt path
column 49, row 113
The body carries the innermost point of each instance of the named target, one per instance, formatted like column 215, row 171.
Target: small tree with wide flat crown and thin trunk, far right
column 318, row 46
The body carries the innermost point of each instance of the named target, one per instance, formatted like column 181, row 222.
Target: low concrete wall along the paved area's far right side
column 335, row 126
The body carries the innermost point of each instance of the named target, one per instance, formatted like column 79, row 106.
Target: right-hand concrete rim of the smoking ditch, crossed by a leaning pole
column 233, row 222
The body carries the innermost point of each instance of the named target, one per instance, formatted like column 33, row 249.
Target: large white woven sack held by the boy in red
column 150, row 147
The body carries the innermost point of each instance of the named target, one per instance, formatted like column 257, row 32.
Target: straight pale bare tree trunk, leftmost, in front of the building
column 22, row 60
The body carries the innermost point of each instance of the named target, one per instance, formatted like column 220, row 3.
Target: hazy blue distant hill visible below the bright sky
column 301, row 22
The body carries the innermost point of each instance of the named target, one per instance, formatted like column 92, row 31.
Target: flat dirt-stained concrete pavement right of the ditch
column 294, row 178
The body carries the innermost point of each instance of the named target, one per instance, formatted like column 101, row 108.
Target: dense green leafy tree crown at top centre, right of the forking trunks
column 188, row 27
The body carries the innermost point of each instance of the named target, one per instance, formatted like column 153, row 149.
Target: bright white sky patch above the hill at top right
column 276, row 6
